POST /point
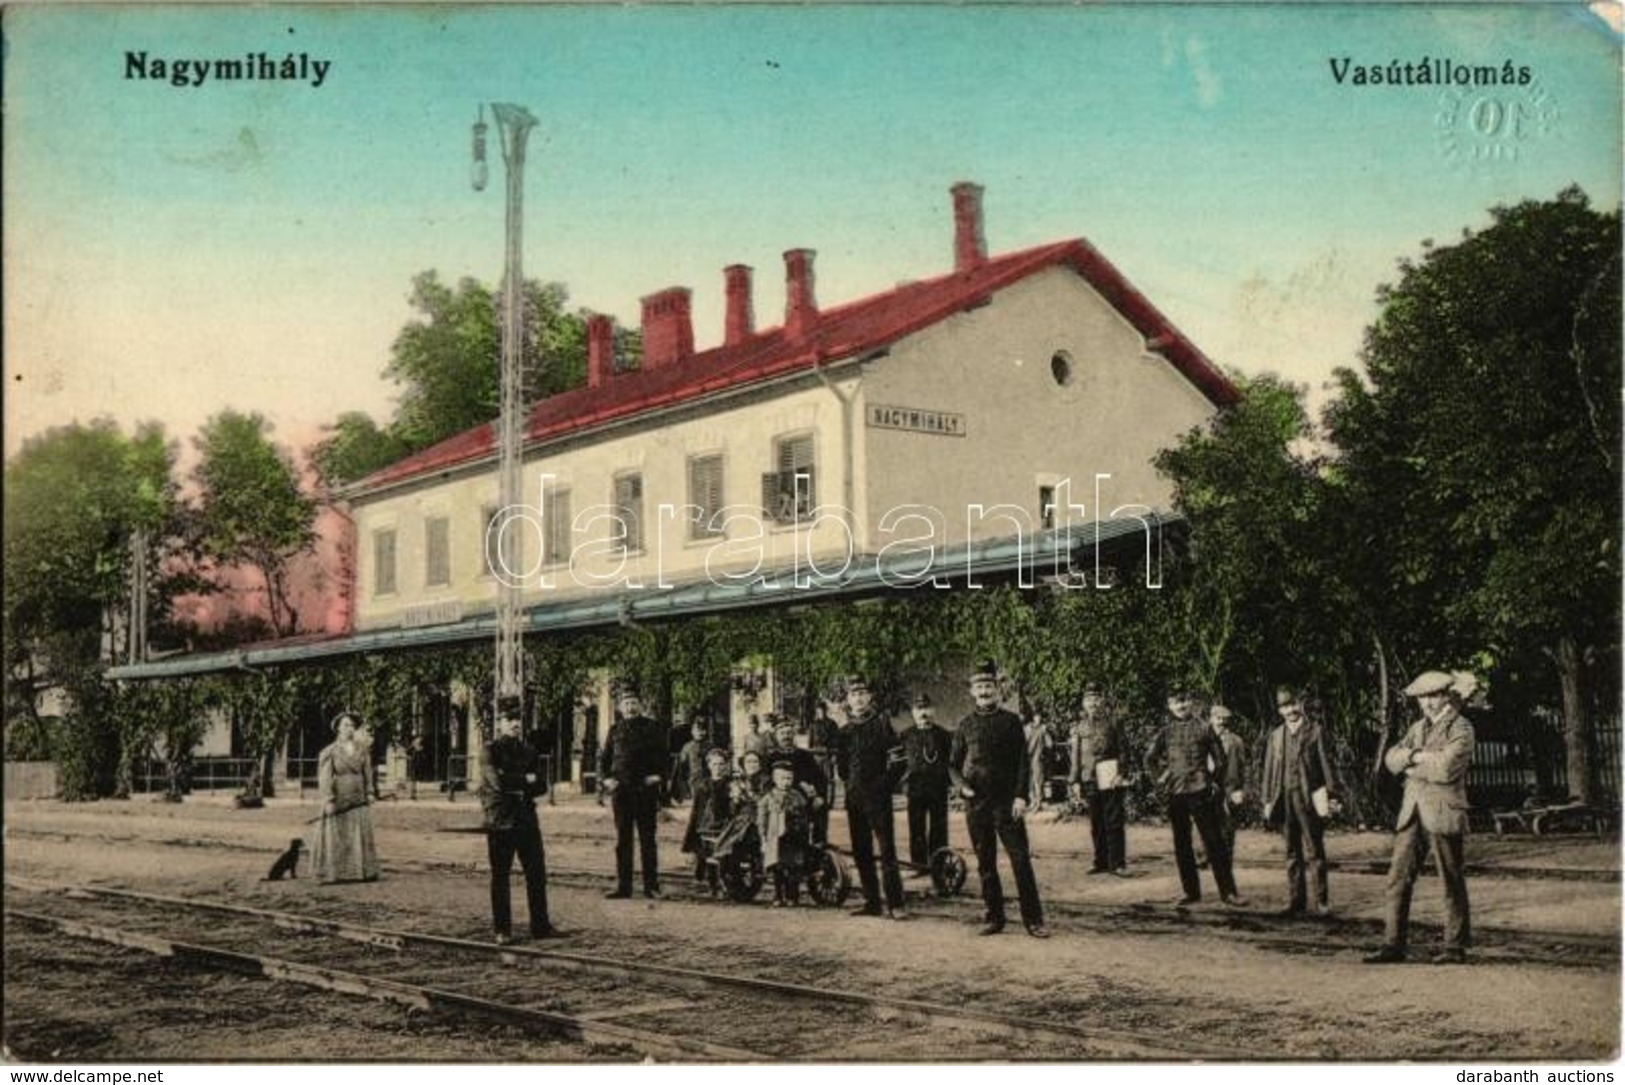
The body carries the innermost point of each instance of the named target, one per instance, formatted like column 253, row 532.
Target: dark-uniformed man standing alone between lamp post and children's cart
column 633, row 767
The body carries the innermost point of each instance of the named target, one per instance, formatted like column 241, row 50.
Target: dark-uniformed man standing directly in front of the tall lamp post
column 511, row 782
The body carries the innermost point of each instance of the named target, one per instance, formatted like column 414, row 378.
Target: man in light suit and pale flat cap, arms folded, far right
column 1432, row 759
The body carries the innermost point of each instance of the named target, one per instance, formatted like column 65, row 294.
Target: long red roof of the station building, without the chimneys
column 847, row 331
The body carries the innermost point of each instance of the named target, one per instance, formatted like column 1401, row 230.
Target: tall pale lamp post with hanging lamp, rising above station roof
column 514, row 124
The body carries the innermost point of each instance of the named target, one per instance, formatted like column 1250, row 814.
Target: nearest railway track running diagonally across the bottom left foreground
column 703, row 1016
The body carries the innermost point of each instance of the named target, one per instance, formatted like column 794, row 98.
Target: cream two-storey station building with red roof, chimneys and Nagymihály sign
column 990, row 420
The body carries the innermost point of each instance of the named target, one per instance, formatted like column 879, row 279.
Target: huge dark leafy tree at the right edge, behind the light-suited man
column 1484, row 439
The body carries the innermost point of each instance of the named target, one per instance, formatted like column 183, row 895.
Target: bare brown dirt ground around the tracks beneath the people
column 1182, row 982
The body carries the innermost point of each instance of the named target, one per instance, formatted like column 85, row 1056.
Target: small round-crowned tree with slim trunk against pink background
column 253, row 511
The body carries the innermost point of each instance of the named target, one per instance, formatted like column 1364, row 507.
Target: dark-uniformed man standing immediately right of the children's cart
column 872, row 766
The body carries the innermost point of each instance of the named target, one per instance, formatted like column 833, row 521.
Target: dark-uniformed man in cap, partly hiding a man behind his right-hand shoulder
column 1185, row 746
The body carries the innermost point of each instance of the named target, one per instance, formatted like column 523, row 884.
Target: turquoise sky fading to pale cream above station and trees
column 176, row 251
